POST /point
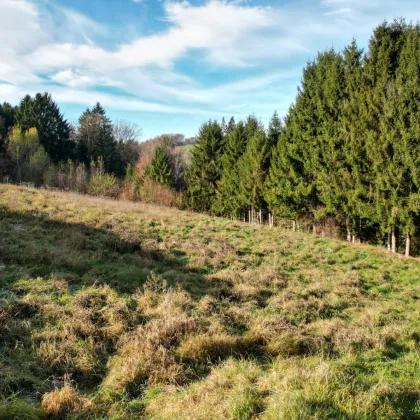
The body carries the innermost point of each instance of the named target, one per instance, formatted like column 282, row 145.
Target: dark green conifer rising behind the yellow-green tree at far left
column 43, row 113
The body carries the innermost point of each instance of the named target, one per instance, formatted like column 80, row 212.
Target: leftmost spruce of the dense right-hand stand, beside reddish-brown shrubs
column 205, row 169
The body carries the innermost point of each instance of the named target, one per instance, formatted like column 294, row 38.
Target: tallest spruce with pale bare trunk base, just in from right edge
column 382, row 137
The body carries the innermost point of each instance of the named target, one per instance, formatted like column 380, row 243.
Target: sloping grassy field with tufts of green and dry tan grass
column 119, row 310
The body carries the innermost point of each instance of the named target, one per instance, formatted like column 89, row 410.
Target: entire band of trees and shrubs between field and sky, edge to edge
column 345, row 158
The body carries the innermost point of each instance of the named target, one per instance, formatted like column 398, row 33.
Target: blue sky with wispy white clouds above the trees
column 170, row 65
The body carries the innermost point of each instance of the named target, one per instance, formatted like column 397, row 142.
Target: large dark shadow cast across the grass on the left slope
column 33, row 245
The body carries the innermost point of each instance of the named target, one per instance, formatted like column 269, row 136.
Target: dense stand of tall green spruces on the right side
column 347, row 152
